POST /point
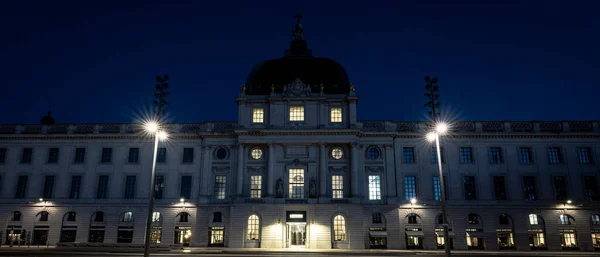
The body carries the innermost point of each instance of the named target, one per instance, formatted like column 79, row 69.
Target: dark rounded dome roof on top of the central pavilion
column 298, row 62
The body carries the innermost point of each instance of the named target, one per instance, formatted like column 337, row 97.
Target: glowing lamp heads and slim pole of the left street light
column 152, row 128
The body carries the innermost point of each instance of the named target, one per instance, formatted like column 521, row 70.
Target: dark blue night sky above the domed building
column 96, row 61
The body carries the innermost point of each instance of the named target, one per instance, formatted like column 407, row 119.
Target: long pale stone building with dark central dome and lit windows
column 297, row 170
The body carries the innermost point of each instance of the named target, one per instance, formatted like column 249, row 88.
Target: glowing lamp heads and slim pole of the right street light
column 441, row 129
